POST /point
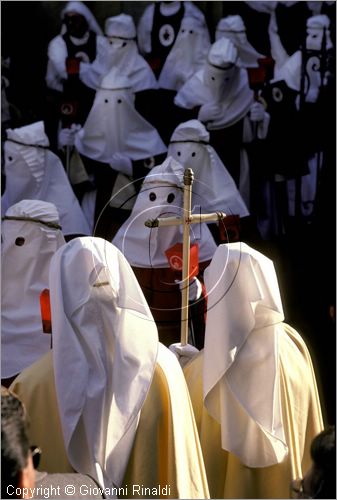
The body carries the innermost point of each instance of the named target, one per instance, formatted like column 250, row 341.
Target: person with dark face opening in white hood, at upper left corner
column 77, row 59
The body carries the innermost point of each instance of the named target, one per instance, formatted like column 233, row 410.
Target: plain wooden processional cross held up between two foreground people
column 187, row 219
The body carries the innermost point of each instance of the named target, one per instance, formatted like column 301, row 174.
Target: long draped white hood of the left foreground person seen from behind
column 105, row 346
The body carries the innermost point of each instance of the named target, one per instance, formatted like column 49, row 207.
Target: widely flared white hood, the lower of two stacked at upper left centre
column 114, row 126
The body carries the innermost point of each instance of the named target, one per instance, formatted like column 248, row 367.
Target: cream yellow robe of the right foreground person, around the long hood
column 302, row 420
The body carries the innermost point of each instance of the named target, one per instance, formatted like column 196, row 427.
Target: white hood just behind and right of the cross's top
column 213, row 188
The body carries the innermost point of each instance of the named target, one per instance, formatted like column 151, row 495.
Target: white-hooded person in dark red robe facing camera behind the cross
column 161, row 195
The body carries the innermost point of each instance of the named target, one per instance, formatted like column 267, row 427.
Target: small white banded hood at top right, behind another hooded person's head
column 233, row 28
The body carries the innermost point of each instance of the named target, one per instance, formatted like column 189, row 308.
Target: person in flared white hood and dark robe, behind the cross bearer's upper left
column 118, row 147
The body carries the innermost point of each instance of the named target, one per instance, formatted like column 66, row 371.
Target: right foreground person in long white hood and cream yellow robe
column 253, row 386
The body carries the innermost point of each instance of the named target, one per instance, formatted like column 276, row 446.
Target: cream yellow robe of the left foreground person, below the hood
column 166, row 450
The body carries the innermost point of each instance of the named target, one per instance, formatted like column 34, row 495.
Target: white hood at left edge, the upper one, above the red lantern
column 34, row 172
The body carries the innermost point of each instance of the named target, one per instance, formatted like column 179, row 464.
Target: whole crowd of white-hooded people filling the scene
column 91, row 295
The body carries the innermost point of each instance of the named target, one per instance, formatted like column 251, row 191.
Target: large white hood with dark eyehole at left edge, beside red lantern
column 31, row 234
